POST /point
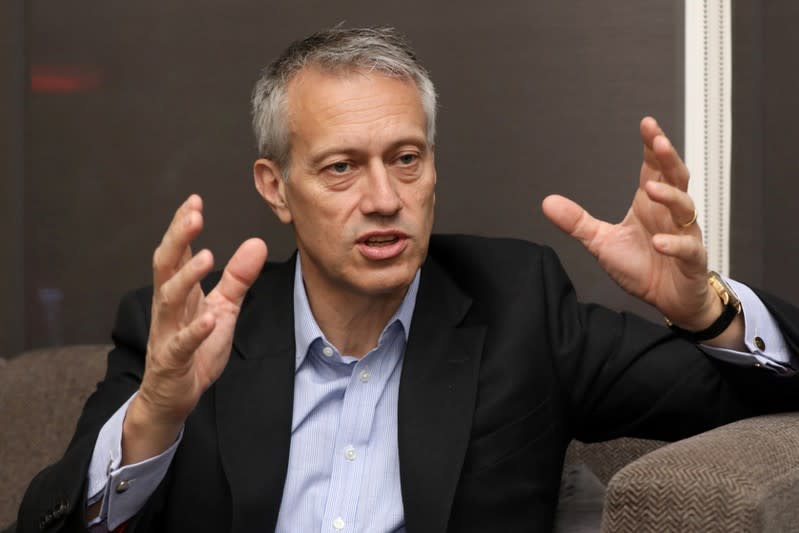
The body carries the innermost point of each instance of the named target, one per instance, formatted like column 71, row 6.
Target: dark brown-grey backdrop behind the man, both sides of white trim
column 111, row 113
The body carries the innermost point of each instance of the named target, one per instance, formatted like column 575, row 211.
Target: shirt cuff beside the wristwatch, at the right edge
column 762, row 336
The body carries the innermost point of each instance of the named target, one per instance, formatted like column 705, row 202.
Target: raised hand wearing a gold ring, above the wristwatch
column 656, row 253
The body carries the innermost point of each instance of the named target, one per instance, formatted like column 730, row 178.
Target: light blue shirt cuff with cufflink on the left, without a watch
column 124, row 490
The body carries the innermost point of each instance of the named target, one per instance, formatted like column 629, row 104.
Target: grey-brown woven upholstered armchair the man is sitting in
column 740, row 477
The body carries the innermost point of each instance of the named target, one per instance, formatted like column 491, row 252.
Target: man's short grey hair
column 336, row 49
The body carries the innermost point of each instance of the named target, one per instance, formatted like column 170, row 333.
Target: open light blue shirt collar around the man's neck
column 306, row 329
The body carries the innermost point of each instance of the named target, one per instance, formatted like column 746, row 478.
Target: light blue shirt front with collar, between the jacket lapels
column 343, row 472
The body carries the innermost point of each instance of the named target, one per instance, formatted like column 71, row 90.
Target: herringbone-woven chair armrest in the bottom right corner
column 740, row 477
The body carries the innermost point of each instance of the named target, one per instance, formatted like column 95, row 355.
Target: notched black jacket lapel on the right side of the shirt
column 436, row 400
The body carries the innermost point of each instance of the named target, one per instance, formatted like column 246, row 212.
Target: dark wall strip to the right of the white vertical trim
column 765, row 188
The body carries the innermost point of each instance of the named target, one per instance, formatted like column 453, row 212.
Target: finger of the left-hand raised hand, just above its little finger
column 171, row 297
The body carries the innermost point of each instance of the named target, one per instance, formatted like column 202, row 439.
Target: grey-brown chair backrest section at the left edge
column 42, row 393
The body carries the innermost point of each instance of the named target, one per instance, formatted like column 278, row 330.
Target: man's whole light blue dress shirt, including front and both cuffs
column 343, row 472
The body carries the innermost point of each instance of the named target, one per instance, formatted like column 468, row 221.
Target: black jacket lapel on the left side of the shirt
column 254, row 398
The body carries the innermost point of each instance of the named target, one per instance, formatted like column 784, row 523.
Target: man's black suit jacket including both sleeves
column 503, row 367
